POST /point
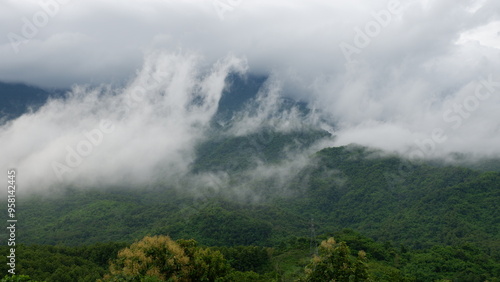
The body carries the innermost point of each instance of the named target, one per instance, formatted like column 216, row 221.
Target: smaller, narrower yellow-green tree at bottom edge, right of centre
column 335, row 263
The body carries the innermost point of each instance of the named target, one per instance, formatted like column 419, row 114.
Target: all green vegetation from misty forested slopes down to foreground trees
column 392, row 220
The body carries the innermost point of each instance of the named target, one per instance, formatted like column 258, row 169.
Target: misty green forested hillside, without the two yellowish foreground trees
column 419, row 221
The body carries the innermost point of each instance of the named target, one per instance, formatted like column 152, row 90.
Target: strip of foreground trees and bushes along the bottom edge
column 349, row 257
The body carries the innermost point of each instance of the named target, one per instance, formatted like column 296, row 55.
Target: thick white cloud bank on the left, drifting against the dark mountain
column 117, row 136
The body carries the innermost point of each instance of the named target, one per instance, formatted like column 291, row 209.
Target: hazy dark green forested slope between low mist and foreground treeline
column 343, row 187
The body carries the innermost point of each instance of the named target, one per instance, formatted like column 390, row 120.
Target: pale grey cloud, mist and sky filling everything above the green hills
column 418, row 78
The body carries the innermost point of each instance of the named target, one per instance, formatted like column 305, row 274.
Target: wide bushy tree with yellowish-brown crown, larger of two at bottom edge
column 160, row 258
